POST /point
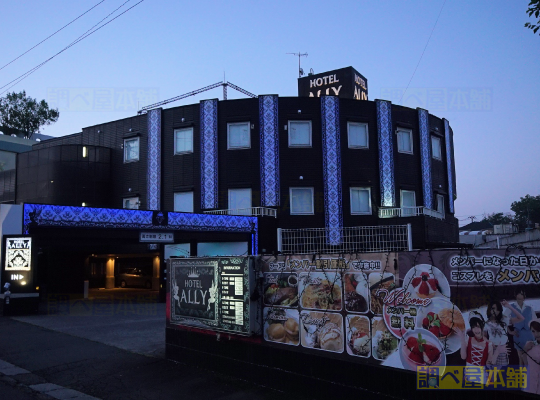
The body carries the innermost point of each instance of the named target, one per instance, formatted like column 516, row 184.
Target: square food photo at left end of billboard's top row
column 281, row 289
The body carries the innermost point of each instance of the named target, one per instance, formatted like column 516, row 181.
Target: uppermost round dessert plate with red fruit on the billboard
column 426, row 281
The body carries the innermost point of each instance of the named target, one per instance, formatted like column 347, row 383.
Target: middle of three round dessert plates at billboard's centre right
column 440, row 318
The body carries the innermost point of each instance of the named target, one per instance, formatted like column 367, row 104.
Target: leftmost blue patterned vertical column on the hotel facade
column 154, row 160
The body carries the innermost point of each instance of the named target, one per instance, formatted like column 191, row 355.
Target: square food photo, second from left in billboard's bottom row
column 322, row 330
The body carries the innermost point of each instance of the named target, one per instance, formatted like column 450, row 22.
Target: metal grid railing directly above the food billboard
column 357, row 239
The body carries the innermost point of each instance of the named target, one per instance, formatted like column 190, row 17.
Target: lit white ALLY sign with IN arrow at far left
column 18, row 264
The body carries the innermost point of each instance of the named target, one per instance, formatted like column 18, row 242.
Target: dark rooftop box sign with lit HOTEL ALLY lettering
column 346, row 83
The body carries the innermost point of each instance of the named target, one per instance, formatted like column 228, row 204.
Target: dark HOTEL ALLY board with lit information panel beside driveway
column 210, row 293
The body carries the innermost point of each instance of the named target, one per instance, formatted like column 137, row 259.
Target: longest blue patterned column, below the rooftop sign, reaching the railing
column 332, row 168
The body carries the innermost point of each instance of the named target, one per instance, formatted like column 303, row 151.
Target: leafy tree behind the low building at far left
column 19, row 112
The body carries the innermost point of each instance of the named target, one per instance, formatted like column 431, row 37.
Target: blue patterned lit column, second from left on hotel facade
column 209, row 154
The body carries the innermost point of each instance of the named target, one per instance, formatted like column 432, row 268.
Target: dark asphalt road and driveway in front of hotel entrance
column 109, row 347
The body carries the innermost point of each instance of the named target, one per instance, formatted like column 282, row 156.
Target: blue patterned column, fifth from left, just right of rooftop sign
column 386, row 153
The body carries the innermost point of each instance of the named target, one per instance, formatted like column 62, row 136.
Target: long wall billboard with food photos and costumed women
column 408, row 310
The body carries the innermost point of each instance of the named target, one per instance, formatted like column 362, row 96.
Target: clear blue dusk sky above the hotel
column 480, row 69
